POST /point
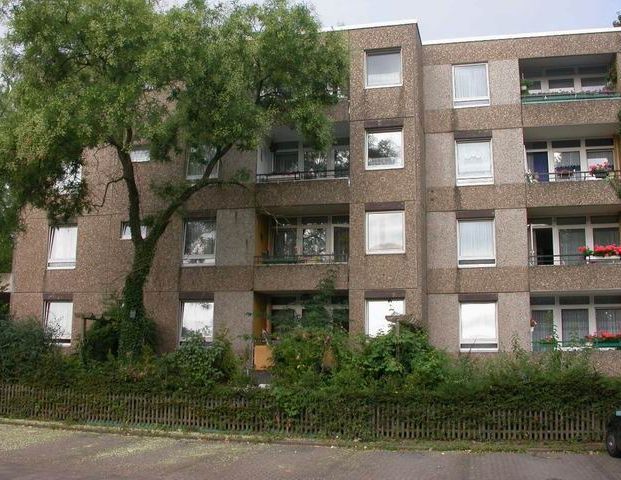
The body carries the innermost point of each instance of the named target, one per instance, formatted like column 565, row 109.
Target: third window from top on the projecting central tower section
column 385, row 232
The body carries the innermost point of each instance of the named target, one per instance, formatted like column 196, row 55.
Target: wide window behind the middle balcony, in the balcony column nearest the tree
column 317, row 239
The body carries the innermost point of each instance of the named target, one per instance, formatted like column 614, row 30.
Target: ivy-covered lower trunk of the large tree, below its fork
column 137, row 330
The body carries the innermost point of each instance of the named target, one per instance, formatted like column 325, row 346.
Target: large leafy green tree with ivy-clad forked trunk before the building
column 88, row 74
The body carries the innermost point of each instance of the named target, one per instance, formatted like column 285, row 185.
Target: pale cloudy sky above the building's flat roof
column 441, row 19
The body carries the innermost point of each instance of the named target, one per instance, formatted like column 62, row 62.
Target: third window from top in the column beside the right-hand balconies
column 476, row 243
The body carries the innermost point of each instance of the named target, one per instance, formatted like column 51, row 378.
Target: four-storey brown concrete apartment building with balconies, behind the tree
column 460, row 186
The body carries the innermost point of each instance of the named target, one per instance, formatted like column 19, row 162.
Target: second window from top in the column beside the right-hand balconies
column 474, row 162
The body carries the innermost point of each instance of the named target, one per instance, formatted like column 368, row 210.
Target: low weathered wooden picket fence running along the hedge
column 345, row 418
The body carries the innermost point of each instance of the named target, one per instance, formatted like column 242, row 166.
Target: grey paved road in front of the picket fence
column 39, row 453
